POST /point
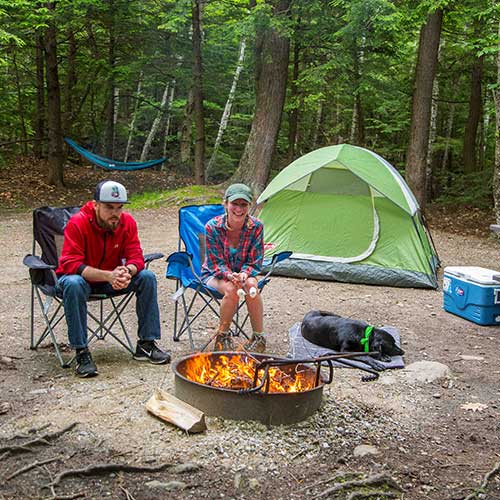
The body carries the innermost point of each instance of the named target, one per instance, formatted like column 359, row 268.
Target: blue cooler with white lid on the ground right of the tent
column 472, row 293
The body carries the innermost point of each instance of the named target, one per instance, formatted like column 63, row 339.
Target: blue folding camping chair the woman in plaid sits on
column 184, row 266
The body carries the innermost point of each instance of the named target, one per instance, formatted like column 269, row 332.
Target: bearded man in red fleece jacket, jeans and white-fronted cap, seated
column 102, row 254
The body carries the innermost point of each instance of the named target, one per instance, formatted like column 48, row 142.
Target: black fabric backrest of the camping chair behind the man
column 48, row 230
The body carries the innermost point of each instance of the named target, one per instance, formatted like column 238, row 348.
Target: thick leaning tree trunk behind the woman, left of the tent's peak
column 271, row 71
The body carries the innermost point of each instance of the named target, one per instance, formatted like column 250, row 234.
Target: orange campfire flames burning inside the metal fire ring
column 236, row 372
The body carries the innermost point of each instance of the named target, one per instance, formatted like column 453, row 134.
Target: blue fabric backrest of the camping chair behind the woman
column 192, row 220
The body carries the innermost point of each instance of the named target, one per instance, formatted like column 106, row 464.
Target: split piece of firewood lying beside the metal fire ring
column 177, row 412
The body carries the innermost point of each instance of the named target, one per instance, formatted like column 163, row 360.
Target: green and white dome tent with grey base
column 347, row 215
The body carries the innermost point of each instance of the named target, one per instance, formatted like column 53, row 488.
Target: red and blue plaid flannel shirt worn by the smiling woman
column 250, row 252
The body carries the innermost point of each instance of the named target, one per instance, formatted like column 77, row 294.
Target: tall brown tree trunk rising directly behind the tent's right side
column 421, row 107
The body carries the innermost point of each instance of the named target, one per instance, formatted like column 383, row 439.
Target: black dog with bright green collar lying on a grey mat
column 344, row 335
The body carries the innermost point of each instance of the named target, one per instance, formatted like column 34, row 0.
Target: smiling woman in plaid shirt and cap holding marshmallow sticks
column 233, row 259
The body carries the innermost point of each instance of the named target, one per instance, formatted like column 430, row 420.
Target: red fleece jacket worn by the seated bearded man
column 87, row 244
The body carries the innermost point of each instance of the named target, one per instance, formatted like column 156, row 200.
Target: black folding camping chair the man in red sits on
column 48, row 237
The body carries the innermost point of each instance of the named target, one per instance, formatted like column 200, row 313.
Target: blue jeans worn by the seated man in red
column 75, row 290
